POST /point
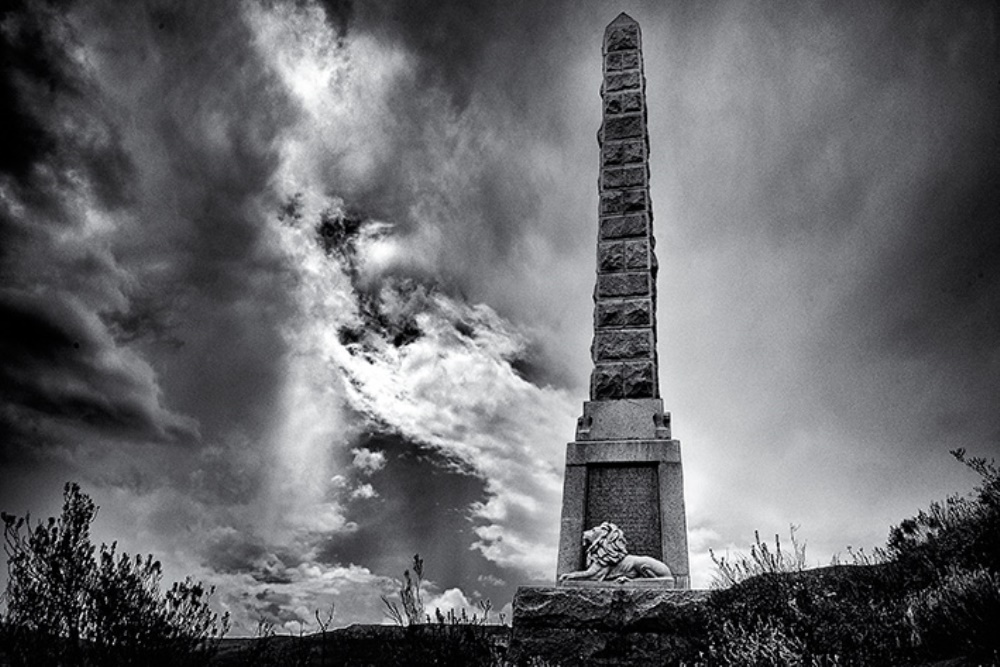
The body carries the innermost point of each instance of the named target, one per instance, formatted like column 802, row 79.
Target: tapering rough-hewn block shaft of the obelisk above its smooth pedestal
column 624, row 349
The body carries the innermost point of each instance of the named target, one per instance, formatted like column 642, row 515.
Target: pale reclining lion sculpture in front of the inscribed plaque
column 608, row 559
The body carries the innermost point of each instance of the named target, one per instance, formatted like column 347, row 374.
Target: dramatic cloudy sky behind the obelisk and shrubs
column 296, row 290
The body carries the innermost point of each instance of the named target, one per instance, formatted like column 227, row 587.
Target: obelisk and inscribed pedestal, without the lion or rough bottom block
column 623, row 466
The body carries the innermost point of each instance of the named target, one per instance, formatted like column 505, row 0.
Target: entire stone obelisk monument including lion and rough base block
column 623, row 586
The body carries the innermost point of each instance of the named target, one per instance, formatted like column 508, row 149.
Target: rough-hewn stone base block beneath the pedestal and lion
column 608, row 624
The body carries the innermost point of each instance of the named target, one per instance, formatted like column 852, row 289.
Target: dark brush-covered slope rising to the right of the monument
column 932, row 594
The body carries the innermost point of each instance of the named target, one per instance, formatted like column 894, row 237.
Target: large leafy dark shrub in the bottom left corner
column 66, row 607
